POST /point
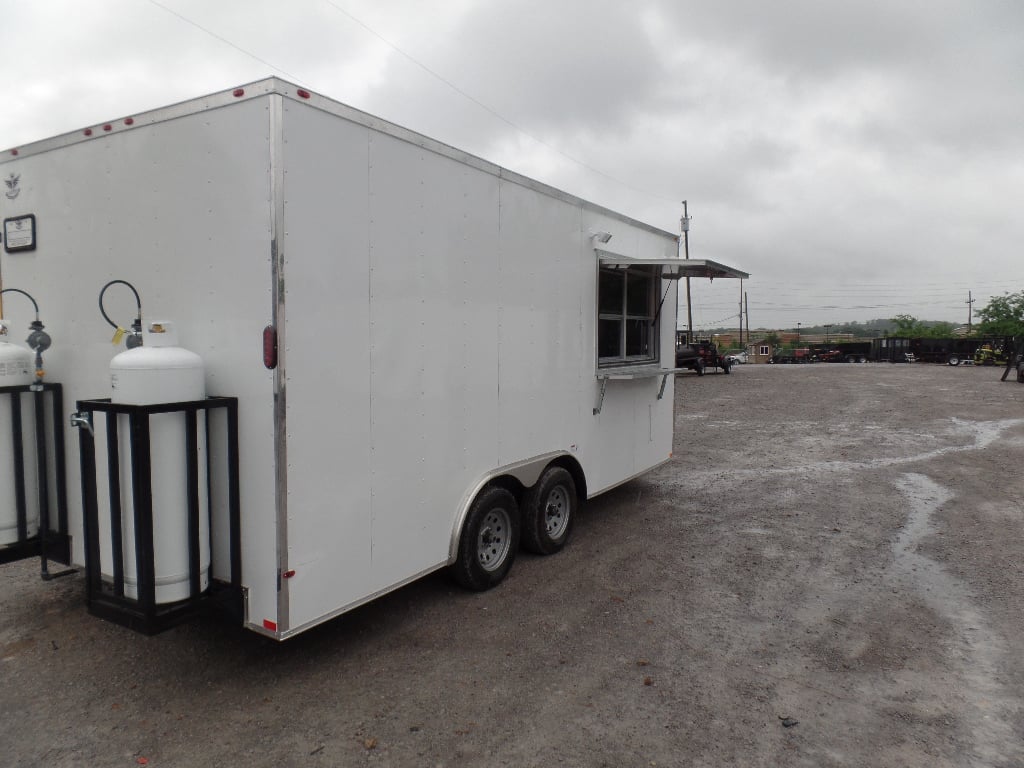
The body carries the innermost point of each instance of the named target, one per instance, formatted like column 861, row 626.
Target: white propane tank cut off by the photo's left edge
column 17, row 369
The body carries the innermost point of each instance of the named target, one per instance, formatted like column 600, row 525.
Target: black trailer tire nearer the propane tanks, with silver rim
column 489, row 541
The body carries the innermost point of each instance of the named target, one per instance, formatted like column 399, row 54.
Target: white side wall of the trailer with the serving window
column 441, row 325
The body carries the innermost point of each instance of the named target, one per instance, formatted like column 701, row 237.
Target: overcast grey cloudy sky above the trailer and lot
column 861, row 160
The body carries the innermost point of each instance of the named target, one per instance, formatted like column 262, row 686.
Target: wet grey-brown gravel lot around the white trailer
column 834, row 546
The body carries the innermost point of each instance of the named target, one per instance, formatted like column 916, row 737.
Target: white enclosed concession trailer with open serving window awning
column 460, row 352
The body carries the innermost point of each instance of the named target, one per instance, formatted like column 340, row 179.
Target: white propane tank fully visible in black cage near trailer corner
column 156, row 373
